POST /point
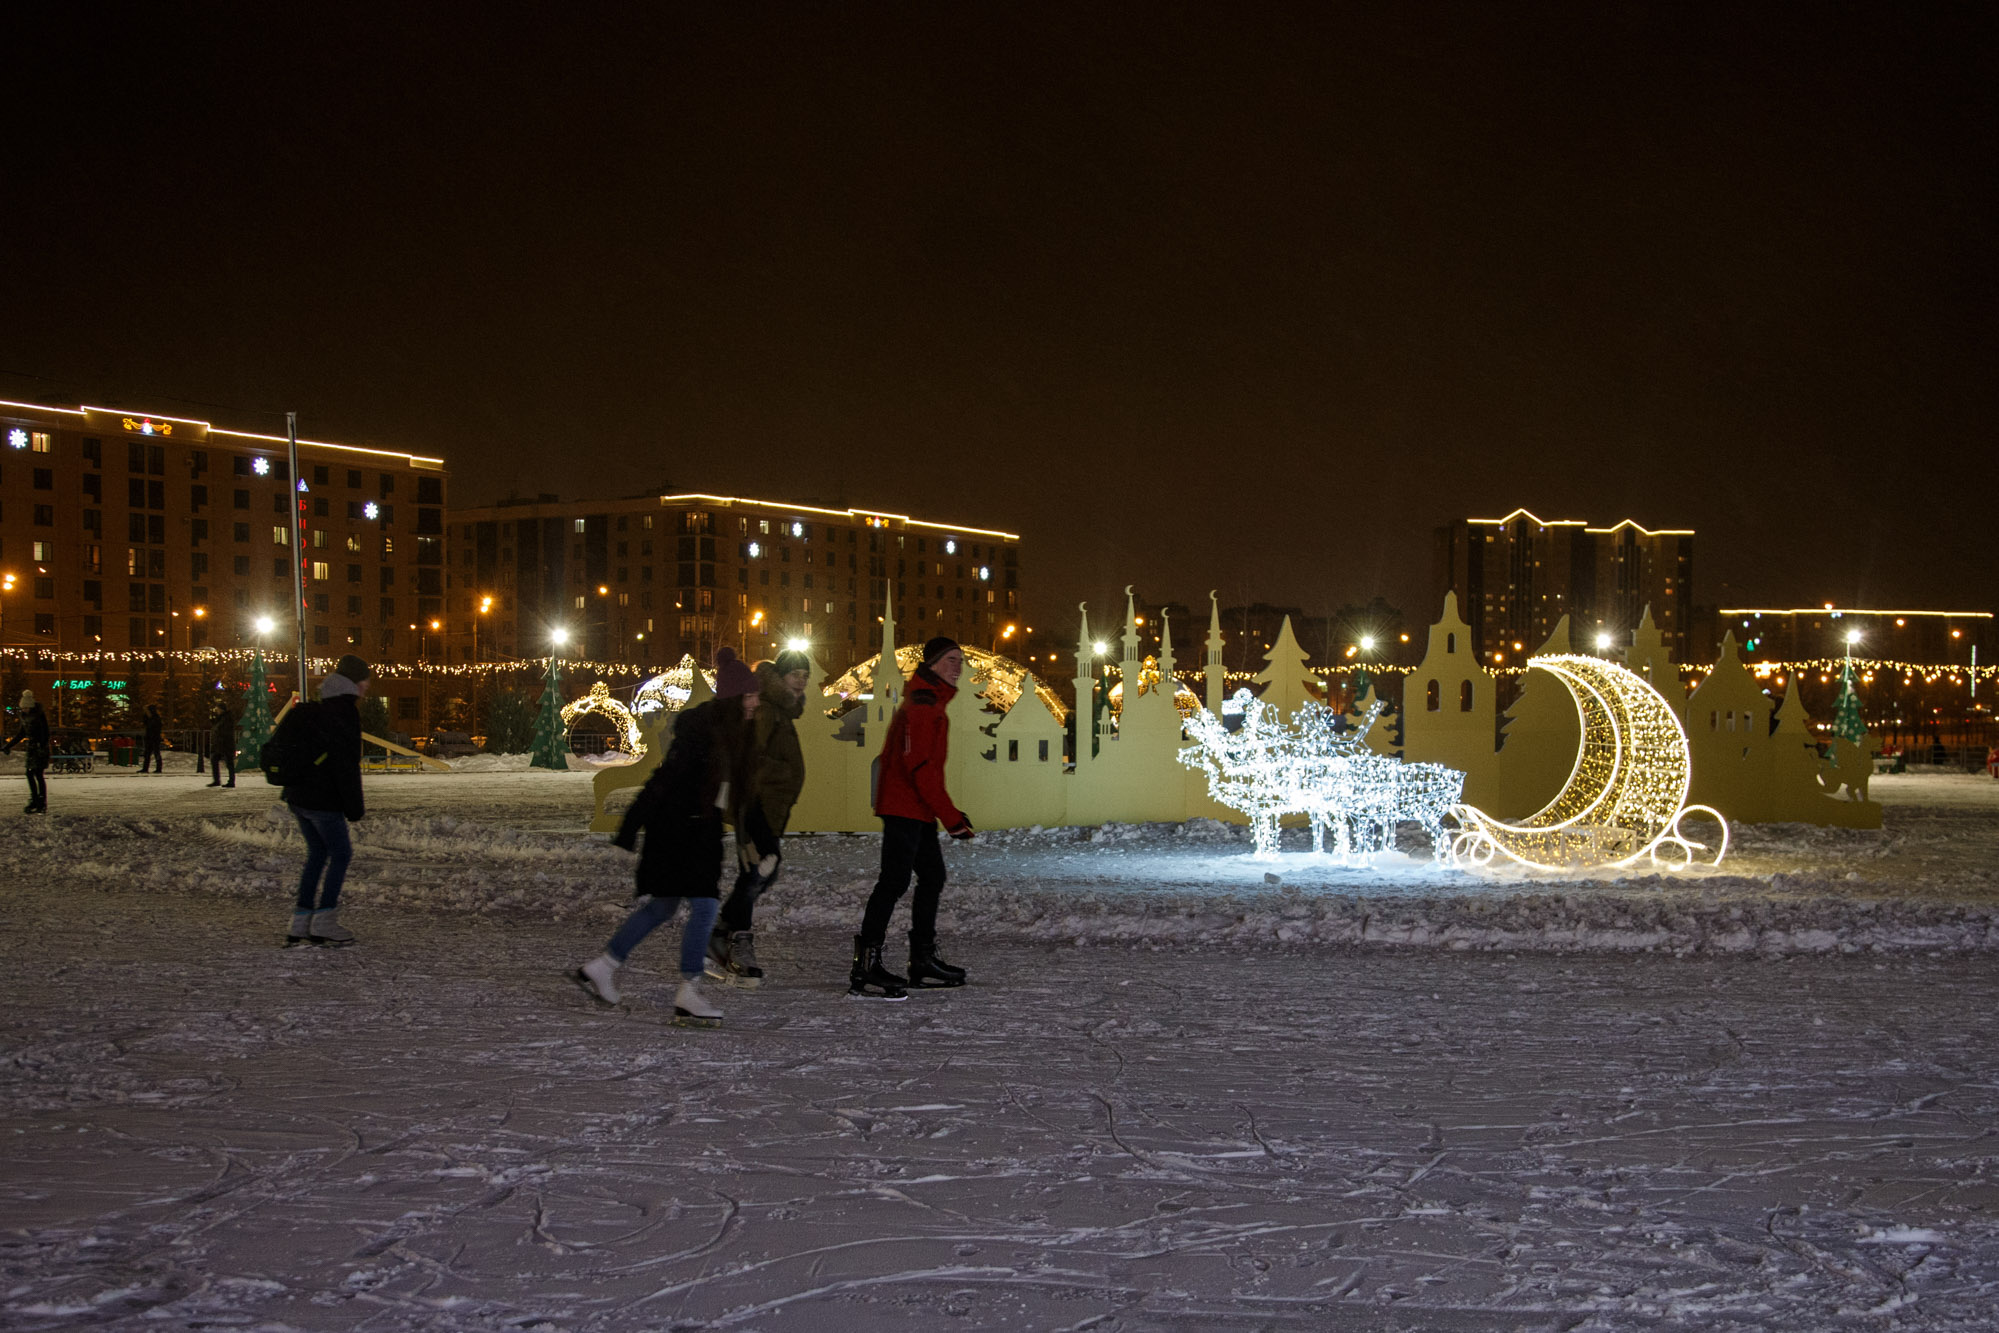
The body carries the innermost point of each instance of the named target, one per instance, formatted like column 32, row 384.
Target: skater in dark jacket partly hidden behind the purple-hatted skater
column 781, row 776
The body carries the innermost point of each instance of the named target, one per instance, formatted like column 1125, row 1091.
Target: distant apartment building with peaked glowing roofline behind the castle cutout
column 1518, row 577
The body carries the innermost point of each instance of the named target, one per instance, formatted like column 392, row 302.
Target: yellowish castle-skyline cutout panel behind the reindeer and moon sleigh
column 1010, row 734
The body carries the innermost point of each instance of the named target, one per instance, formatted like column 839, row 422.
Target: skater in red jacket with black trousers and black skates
column 913, row 800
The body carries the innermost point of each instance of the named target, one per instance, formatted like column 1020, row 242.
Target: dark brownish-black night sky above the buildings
column 1240, row 297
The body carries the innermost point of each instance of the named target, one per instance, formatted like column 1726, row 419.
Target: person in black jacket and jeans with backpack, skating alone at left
column 325, row 804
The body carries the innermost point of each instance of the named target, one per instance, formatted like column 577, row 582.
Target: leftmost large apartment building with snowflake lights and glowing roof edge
column 143, row 533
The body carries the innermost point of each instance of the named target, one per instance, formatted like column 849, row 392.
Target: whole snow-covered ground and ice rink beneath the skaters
column 1178, row 1096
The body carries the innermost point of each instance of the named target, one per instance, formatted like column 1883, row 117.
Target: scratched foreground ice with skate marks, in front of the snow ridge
column 439, row 1132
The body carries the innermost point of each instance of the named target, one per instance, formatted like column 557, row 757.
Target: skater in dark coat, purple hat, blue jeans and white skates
column 705, row 776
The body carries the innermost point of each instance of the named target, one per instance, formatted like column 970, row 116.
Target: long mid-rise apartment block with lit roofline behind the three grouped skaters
column 653, row 579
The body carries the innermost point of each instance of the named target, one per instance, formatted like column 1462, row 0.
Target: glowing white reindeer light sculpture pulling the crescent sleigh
column 1320, row 770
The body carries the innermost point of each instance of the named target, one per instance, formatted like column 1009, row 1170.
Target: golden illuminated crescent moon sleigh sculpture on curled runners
column 1624, row 798
